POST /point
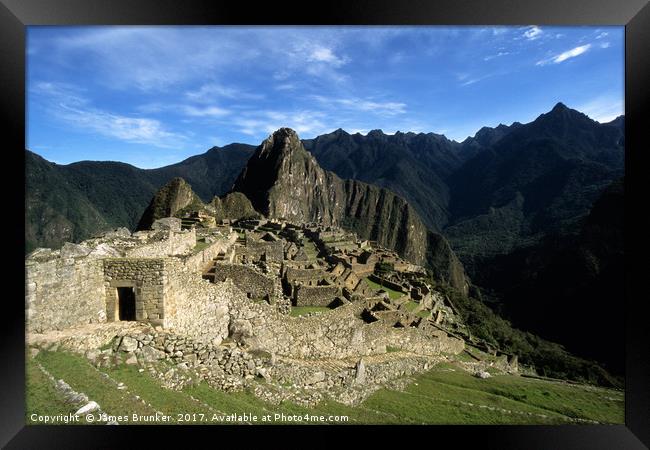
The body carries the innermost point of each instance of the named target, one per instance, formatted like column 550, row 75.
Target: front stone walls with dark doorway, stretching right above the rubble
column 157, row 277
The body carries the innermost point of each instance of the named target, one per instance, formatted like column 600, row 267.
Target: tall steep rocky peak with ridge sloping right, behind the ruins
column 283, row 180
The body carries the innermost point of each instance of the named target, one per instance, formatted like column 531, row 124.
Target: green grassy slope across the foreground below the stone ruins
column 444, row 395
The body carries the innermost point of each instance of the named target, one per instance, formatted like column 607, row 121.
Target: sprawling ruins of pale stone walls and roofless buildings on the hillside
column 228, row 290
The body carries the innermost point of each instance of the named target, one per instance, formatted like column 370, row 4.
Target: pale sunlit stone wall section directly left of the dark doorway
column 63, row 292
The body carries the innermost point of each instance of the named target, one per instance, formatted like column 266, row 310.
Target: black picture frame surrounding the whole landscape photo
column 15, row 15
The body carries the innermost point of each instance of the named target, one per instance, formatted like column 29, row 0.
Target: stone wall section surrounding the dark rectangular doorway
column 146, row 277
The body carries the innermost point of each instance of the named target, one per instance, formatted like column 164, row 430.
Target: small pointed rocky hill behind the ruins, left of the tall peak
column 169, row 200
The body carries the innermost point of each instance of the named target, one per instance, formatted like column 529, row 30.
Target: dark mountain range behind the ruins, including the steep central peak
column 512, row 201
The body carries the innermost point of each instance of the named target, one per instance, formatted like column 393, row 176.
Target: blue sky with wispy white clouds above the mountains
column 152, row 96
